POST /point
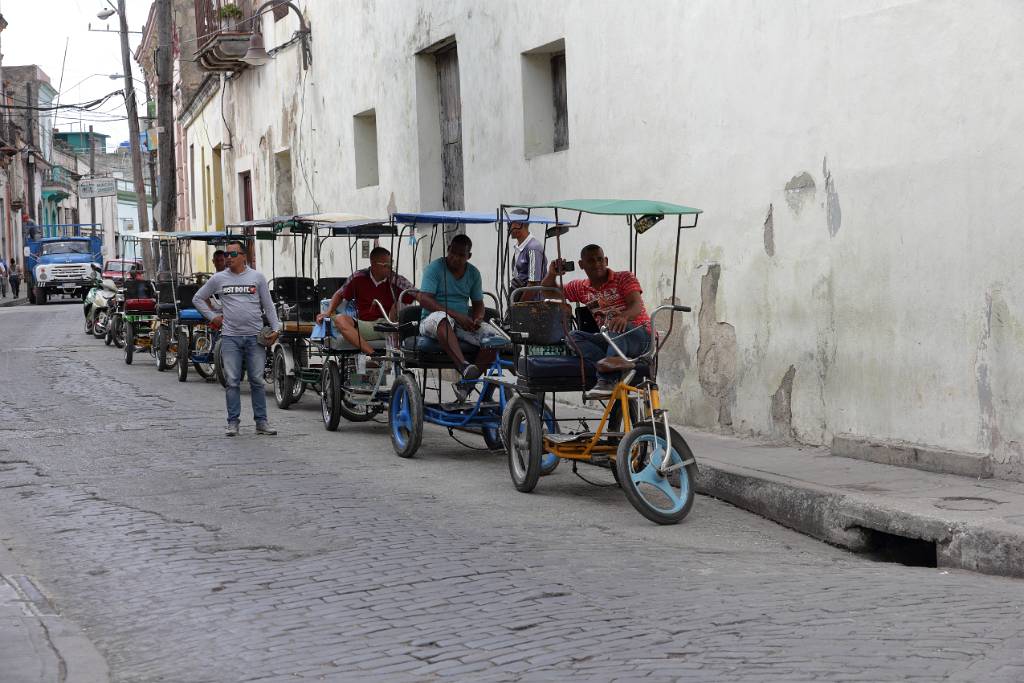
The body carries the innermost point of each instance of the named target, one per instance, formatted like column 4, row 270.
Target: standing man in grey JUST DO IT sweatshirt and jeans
column 245, row 301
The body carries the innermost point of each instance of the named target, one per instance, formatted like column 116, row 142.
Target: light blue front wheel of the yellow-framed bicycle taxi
column 663, row 497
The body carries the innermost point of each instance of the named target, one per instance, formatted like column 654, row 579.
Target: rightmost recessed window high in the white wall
column 545, row 100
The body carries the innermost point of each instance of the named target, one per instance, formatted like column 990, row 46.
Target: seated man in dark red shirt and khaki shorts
column 378, row 283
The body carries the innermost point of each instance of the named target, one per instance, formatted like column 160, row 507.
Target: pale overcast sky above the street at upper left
column 37, row 32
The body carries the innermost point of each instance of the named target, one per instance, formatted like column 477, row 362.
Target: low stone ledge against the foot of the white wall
column 919, row 457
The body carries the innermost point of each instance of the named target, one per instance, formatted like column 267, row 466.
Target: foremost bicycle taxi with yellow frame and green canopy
column 651, row 460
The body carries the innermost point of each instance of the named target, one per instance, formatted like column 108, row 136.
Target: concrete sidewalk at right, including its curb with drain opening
column 903, row 515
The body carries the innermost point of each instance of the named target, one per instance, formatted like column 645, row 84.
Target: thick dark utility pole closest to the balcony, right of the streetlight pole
column 165, row 115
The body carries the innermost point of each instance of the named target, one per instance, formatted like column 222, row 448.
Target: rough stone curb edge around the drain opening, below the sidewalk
column 846, row 521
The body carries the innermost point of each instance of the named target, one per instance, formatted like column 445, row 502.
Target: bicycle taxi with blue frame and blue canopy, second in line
column 414, row 399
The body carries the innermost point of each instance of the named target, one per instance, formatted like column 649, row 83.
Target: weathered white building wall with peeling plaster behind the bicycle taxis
column 885, row 277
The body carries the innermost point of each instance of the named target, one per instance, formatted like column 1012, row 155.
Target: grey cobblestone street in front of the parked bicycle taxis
column 189, row 558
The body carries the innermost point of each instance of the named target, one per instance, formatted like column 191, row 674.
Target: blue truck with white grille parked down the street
column 63, row 265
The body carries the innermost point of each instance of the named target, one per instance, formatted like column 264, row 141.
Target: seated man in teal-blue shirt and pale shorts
column 452, row 295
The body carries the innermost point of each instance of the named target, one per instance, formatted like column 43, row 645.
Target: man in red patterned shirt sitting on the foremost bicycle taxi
column 615, row 298
